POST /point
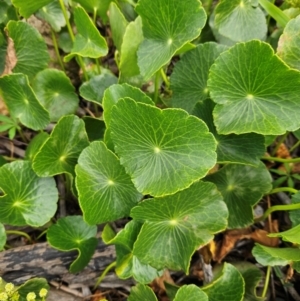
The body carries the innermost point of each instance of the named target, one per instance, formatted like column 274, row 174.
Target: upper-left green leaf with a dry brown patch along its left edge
column 31, row 50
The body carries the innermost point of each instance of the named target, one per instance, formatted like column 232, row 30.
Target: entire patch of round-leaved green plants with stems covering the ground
column 181, row 157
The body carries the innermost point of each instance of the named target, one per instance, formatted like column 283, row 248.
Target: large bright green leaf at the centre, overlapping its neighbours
column 163, row 151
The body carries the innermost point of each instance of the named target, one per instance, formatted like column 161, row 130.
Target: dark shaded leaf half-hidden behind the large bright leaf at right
column 190, row 75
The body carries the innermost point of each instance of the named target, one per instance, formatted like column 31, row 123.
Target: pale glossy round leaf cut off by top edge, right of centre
column 240, row 20
